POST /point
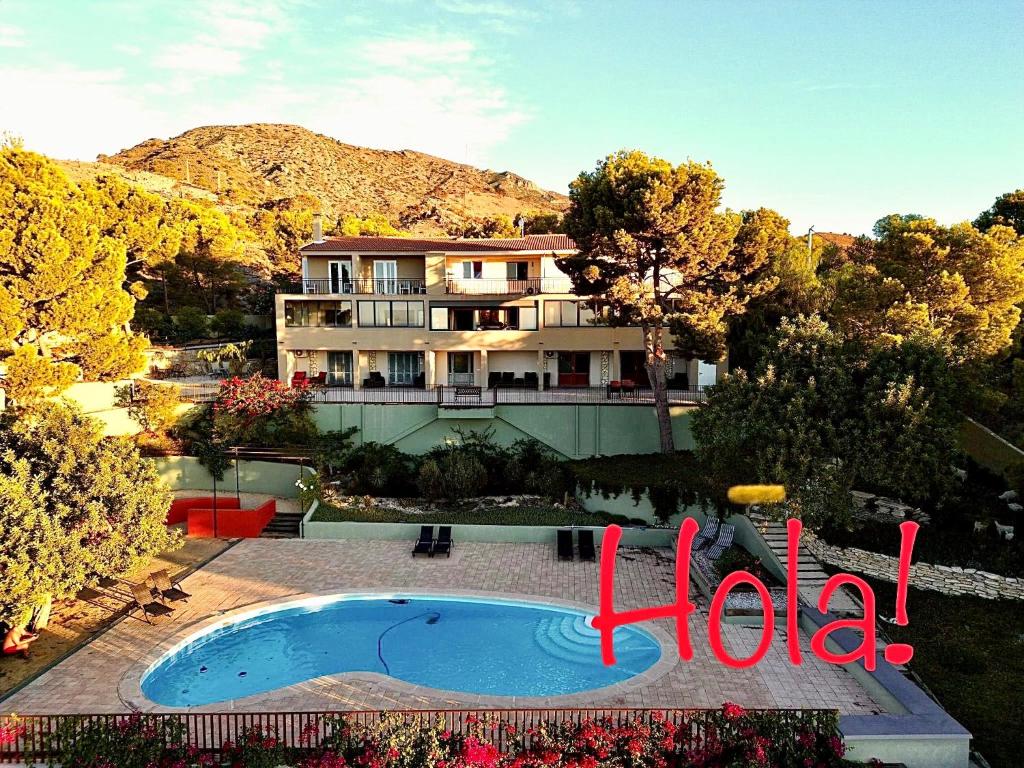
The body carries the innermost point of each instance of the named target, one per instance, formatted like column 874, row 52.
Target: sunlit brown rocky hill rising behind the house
column 250, row 165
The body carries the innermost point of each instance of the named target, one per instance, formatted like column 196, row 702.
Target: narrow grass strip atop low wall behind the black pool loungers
column 489, row 517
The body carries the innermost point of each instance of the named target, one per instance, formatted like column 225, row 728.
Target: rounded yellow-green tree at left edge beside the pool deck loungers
column 73, row 505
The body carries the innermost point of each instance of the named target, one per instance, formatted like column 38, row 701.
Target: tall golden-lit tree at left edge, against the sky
column 64, row 308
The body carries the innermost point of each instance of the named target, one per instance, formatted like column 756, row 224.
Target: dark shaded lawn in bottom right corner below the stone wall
column 970, row 652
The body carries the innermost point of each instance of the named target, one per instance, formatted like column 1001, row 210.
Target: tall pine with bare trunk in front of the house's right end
column 655, row 246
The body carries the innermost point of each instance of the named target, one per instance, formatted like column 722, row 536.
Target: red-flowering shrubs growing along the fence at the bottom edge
column 731, row 738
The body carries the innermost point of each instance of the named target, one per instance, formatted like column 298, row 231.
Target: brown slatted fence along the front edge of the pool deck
column 37, row 737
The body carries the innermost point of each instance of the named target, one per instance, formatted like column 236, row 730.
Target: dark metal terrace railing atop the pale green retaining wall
column 498, row 396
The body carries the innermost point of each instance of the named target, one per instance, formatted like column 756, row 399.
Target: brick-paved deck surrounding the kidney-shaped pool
column 105, row 676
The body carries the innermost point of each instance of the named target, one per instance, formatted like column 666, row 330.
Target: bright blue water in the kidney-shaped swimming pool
column 475, row 646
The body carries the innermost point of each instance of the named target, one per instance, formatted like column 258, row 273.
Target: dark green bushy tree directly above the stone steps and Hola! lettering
column 822, row 412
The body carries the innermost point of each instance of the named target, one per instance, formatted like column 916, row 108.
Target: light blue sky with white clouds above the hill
column 834, row 114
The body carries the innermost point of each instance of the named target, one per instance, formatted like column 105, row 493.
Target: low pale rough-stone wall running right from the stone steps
column 950, row 580
